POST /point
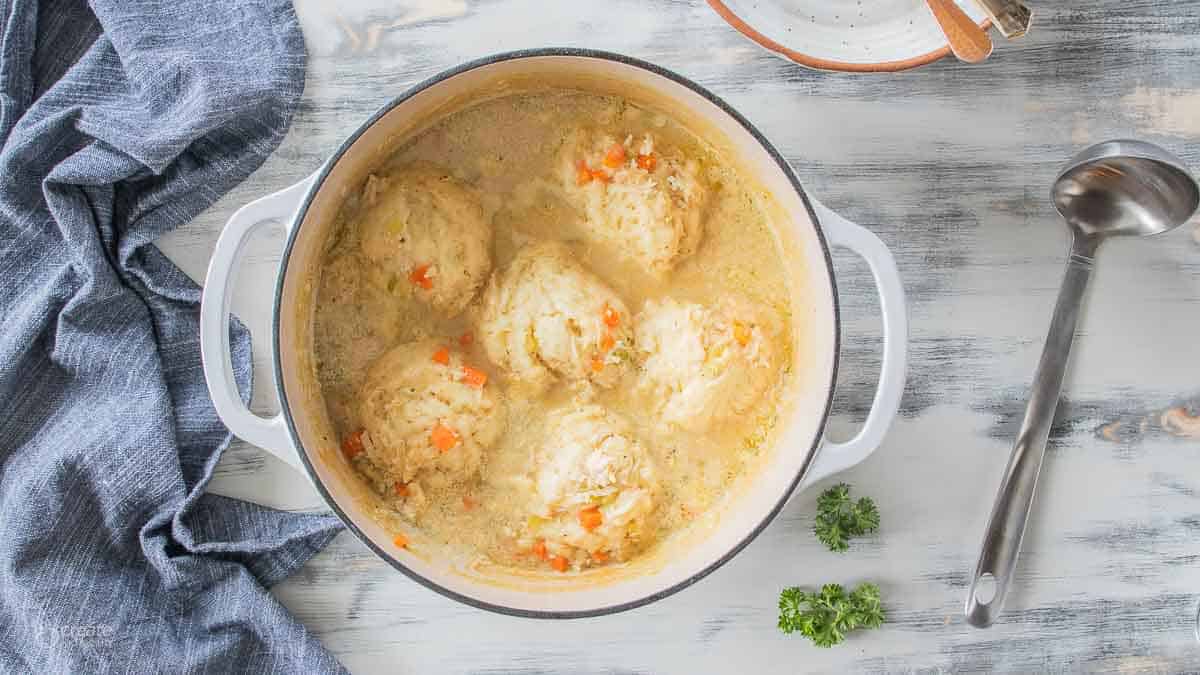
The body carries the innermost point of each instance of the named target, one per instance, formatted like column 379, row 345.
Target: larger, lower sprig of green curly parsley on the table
column 826, row 617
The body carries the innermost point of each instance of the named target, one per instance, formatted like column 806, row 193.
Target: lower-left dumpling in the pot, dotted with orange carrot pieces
column 429, row 417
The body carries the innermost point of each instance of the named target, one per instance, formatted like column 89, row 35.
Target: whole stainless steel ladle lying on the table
column 1114, row 189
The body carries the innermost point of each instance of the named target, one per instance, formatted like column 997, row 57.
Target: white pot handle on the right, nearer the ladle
column 839, row 457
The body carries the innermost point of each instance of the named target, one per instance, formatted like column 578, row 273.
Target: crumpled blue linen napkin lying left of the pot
column 122, row 121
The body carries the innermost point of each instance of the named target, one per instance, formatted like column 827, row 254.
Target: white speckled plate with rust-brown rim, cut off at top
column 845, row 35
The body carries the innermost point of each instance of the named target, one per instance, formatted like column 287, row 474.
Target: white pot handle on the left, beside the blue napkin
column 267, row 433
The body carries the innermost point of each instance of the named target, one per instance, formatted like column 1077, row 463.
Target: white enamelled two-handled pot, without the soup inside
column 301, row 434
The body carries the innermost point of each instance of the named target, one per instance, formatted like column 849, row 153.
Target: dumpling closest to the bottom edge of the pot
column 595, row 489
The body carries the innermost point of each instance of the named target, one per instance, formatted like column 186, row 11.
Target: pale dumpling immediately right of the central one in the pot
column 705, row 365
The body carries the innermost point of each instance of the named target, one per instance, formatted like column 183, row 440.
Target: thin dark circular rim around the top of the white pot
column 323, row 174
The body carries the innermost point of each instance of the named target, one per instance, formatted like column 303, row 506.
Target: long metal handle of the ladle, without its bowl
column 1006, row 528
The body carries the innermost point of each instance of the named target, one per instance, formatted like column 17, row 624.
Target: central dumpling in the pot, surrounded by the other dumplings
column 547, row 318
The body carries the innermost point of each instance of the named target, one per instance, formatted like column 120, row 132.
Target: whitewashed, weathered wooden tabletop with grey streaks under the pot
column 951, row 166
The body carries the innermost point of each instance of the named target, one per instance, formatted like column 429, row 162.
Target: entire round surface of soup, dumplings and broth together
column 554, row 331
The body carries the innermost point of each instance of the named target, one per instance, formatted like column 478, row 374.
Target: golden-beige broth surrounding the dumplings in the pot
column 508, row 151
